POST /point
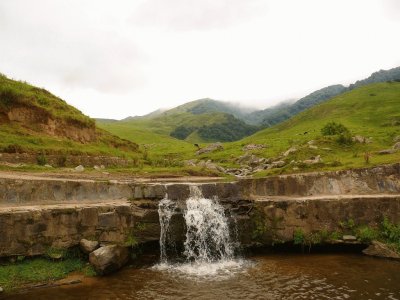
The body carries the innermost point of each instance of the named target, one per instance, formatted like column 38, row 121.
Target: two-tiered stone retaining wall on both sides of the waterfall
column 37, row 215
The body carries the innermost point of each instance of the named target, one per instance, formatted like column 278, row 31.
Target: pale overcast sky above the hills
column 114, row 59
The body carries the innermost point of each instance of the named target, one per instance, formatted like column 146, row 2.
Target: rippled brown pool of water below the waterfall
column 286, row 276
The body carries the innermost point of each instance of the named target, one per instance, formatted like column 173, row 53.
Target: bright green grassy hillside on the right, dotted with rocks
column 371, row 111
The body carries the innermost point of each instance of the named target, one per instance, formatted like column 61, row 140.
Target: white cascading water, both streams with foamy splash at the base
column 208, row 246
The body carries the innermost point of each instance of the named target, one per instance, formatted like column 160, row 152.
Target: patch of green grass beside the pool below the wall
column 39, row 270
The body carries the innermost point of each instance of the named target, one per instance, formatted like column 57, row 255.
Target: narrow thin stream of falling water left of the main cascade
column 166, row 209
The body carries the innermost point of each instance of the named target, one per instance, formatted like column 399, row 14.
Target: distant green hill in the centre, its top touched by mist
column 198, row 121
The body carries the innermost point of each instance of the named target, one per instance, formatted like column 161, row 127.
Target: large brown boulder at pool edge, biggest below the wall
column 108, row 259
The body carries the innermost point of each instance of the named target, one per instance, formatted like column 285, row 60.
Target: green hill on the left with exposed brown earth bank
column 32, row 120
